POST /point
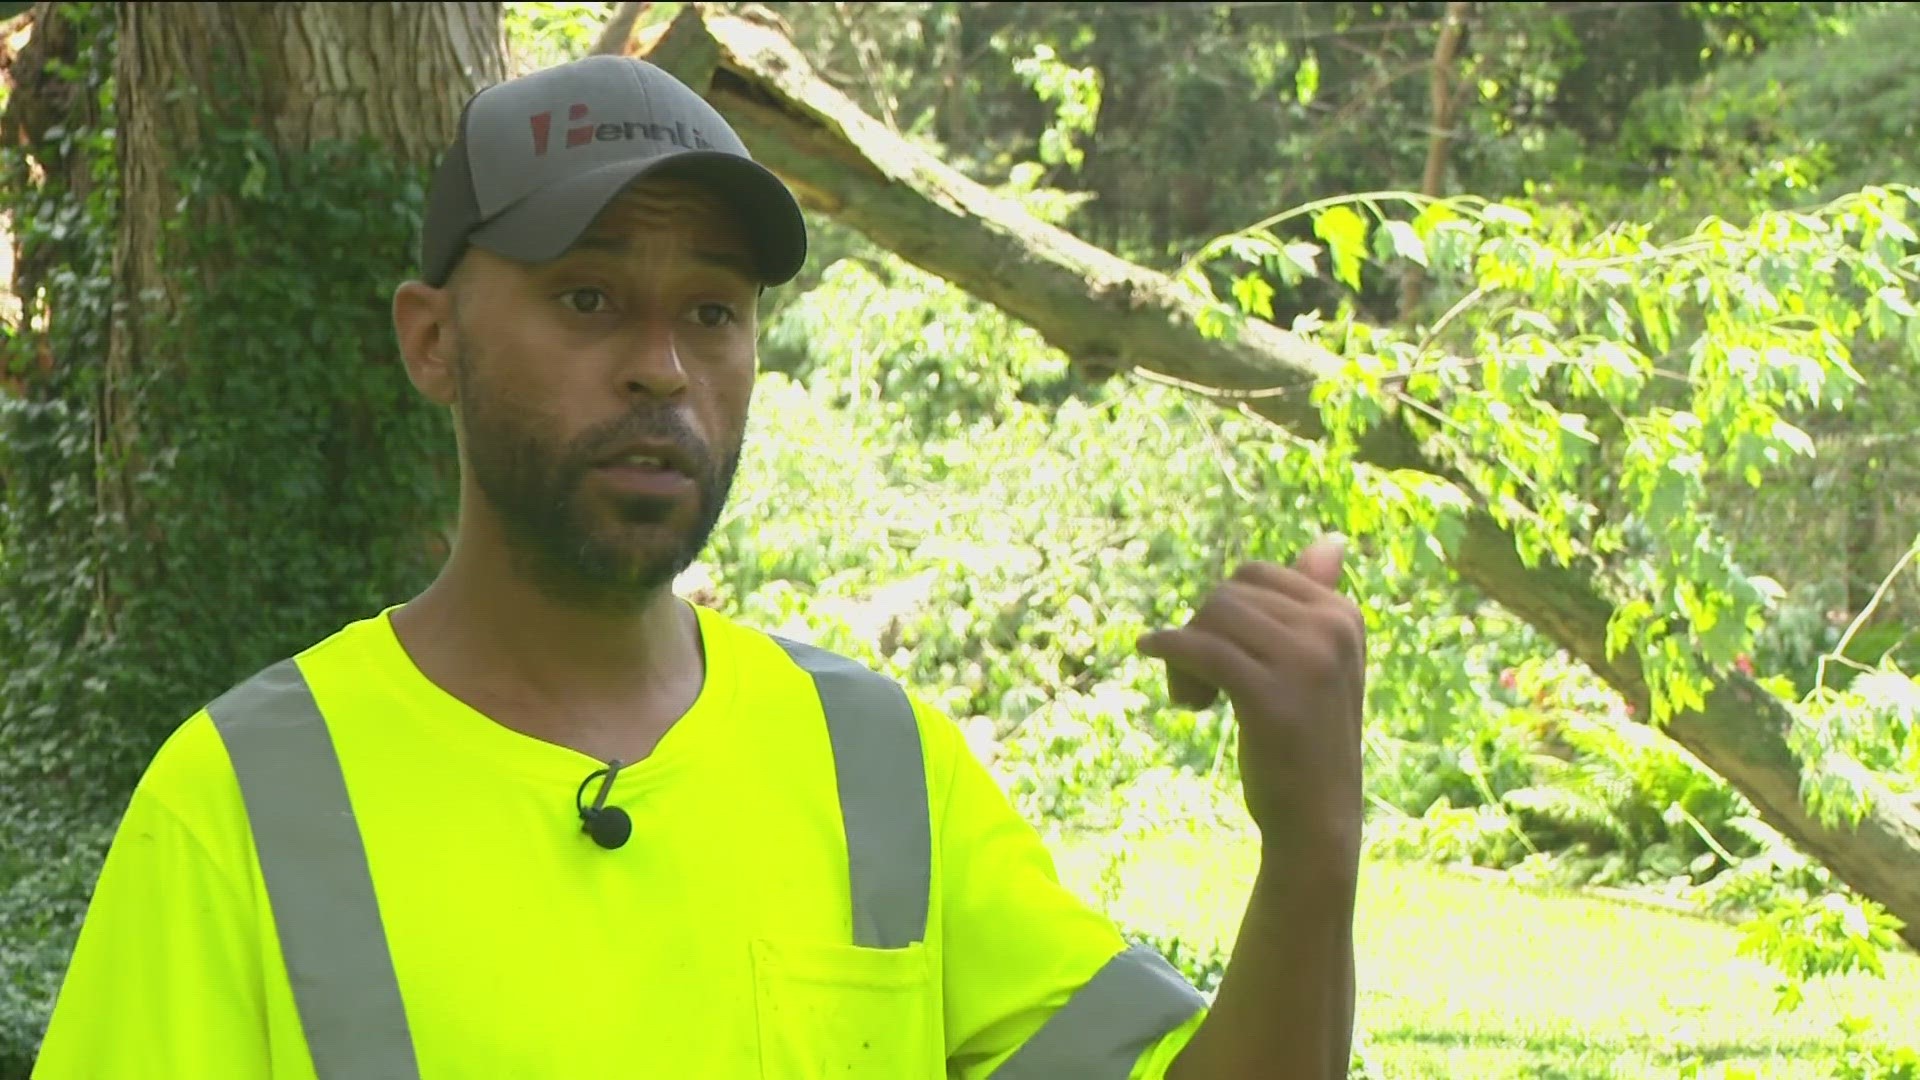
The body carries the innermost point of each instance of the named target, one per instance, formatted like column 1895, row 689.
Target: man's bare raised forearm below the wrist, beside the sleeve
column 1285, row 1008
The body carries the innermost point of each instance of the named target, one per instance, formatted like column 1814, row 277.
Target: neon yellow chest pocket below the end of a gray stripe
column 848, row 1012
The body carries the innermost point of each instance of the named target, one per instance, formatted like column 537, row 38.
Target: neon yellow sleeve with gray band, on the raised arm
column 1038, row 983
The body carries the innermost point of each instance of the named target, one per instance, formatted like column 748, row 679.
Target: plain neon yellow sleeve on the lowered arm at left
column 164, row 979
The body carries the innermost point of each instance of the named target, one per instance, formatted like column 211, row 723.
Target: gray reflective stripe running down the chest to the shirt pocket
column 884, row 797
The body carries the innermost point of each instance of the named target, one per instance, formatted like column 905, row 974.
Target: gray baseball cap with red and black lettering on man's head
column 537, row 159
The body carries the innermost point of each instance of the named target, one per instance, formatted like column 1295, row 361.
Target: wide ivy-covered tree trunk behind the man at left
column 220, row 460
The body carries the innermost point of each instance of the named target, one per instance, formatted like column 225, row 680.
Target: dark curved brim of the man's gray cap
column 546, row 224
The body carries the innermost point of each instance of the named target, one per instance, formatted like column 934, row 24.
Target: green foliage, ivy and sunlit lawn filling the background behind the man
column 1666, row 324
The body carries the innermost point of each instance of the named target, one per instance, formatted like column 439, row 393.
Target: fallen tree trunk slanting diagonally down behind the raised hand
column 1111, row 314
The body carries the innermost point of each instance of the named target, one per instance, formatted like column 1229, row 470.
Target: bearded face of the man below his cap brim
column 604, row 397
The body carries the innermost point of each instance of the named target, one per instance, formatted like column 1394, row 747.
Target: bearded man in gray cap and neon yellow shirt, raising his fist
column 362, row 864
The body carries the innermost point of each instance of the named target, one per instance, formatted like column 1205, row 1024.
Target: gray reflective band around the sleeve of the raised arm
column 1105, row 1029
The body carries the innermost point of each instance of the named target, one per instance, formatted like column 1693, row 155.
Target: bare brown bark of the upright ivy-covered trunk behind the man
column 395, row 76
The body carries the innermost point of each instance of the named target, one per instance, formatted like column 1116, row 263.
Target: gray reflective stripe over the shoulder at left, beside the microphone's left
column 318, row 879
